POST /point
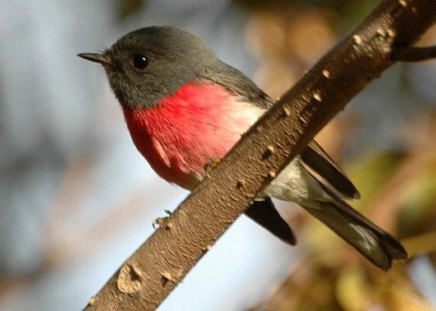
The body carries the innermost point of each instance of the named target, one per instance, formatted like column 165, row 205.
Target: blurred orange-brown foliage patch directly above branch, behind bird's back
column 286, row 40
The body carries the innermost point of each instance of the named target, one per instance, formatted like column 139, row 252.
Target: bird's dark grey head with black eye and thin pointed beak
column 151, row 63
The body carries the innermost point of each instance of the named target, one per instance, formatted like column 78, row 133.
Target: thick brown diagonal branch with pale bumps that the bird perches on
column 153, row 271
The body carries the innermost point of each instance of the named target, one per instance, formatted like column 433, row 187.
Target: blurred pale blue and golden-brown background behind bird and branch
column 76, row 198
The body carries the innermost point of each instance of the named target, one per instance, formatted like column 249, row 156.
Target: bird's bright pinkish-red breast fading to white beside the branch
column 185, row 131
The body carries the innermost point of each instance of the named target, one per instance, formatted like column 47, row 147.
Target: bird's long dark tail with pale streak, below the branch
column 376, row 245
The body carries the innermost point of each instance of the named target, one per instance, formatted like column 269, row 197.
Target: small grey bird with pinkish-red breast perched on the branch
column 185, row 108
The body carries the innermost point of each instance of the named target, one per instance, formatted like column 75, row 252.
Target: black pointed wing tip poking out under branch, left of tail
column 264, row 213
